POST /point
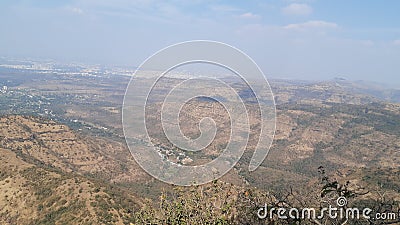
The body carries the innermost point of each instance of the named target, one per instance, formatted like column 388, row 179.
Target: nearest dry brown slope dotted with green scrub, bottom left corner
column 31, row 194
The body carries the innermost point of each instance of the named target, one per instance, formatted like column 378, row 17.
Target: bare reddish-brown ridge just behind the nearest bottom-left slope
column 55, row 145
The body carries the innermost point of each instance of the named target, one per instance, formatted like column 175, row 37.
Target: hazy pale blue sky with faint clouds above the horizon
column 309, row 39
